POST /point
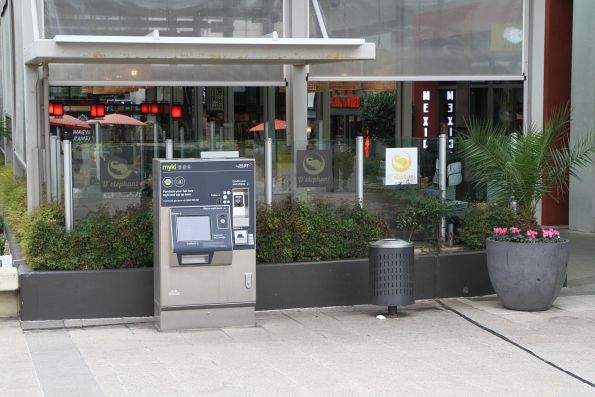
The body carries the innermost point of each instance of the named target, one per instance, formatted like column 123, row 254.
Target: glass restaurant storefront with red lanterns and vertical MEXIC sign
column 439, row 62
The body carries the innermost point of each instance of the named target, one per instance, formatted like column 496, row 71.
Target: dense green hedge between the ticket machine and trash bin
column 299, row 231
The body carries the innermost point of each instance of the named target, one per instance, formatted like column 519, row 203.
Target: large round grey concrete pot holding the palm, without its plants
column 527, row 276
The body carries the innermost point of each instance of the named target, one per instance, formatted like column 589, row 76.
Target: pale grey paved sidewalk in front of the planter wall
column 452, row 347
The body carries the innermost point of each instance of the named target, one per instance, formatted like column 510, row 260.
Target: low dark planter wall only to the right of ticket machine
column 340, row 283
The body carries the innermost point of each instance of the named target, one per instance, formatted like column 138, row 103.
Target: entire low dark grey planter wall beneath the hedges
column 129, row 293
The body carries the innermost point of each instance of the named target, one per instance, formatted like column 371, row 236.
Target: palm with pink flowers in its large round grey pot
column 526, row 263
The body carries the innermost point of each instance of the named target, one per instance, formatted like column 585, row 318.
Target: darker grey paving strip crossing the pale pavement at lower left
column 60, row 367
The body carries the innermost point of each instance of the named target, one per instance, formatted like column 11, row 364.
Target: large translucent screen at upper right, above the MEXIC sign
column 427, row 38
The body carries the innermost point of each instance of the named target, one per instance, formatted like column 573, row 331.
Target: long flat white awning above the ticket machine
column 196, row 50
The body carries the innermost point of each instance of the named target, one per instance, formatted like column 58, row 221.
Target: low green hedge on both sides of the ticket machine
column 288, row 232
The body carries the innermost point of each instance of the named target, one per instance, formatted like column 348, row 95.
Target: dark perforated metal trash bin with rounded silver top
column 391, row 273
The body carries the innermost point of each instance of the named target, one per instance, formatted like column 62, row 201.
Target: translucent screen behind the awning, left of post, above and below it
column 196, row 18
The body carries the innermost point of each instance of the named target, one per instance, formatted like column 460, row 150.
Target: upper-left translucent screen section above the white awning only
column 195, row 18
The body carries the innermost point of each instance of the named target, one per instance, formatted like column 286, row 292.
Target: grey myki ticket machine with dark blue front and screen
column 204, row 254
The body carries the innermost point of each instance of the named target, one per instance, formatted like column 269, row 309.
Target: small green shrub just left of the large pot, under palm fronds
column 479, row 220
